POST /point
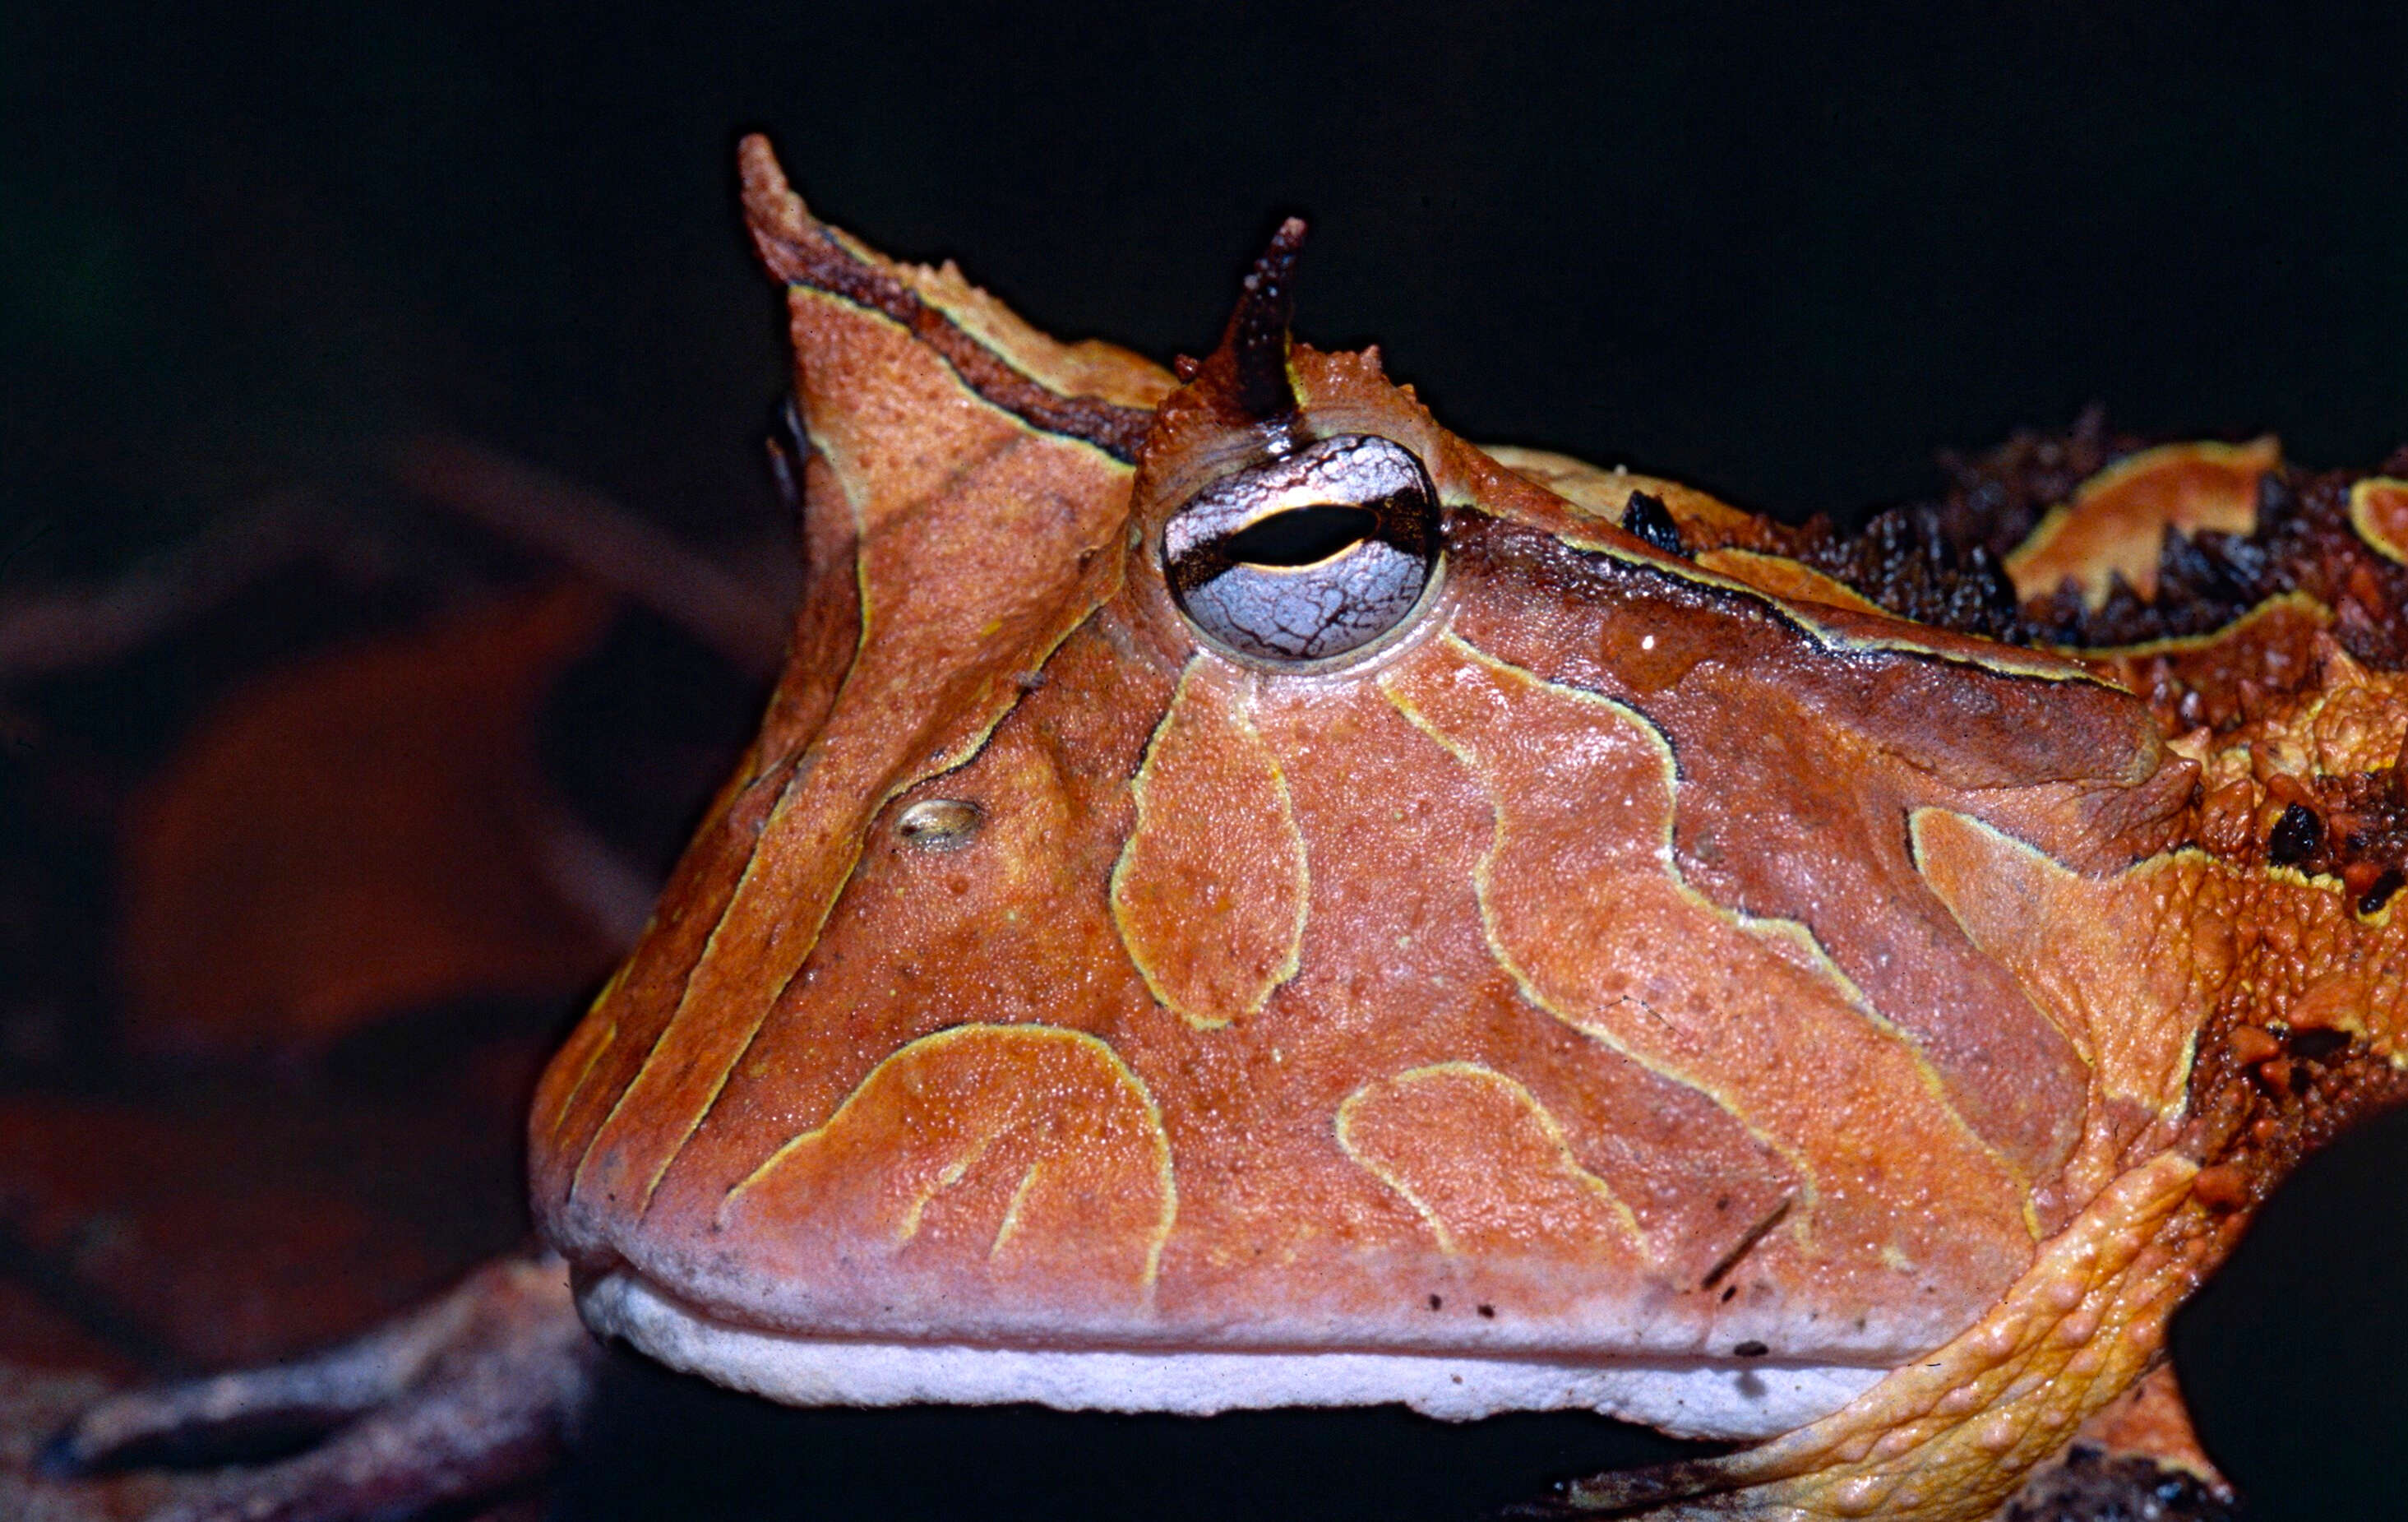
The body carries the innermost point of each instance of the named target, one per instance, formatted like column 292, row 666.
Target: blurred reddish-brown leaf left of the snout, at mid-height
column 367, row 832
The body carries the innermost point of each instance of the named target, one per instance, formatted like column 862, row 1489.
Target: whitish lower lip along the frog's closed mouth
column 1759, row 1398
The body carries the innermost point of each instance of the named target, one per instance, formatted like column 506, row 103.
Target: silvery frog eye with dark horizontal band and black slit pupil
column 1311, row 555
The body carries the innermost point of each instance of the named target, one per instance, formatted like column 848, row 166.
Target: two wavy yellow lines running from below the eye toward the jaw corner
column 1790, row 933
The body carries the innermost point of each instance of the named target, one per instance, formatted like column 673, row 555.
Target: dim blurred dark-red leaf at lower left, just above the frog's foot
column 244, row 1227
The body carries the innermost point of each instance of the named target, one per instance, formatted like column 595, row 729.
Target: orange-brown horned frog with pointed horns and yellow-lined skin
column 1249, row 899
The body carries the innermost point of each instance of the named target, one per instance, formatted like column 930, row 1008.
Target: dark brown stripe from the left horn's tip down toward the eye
column 803, row 252
